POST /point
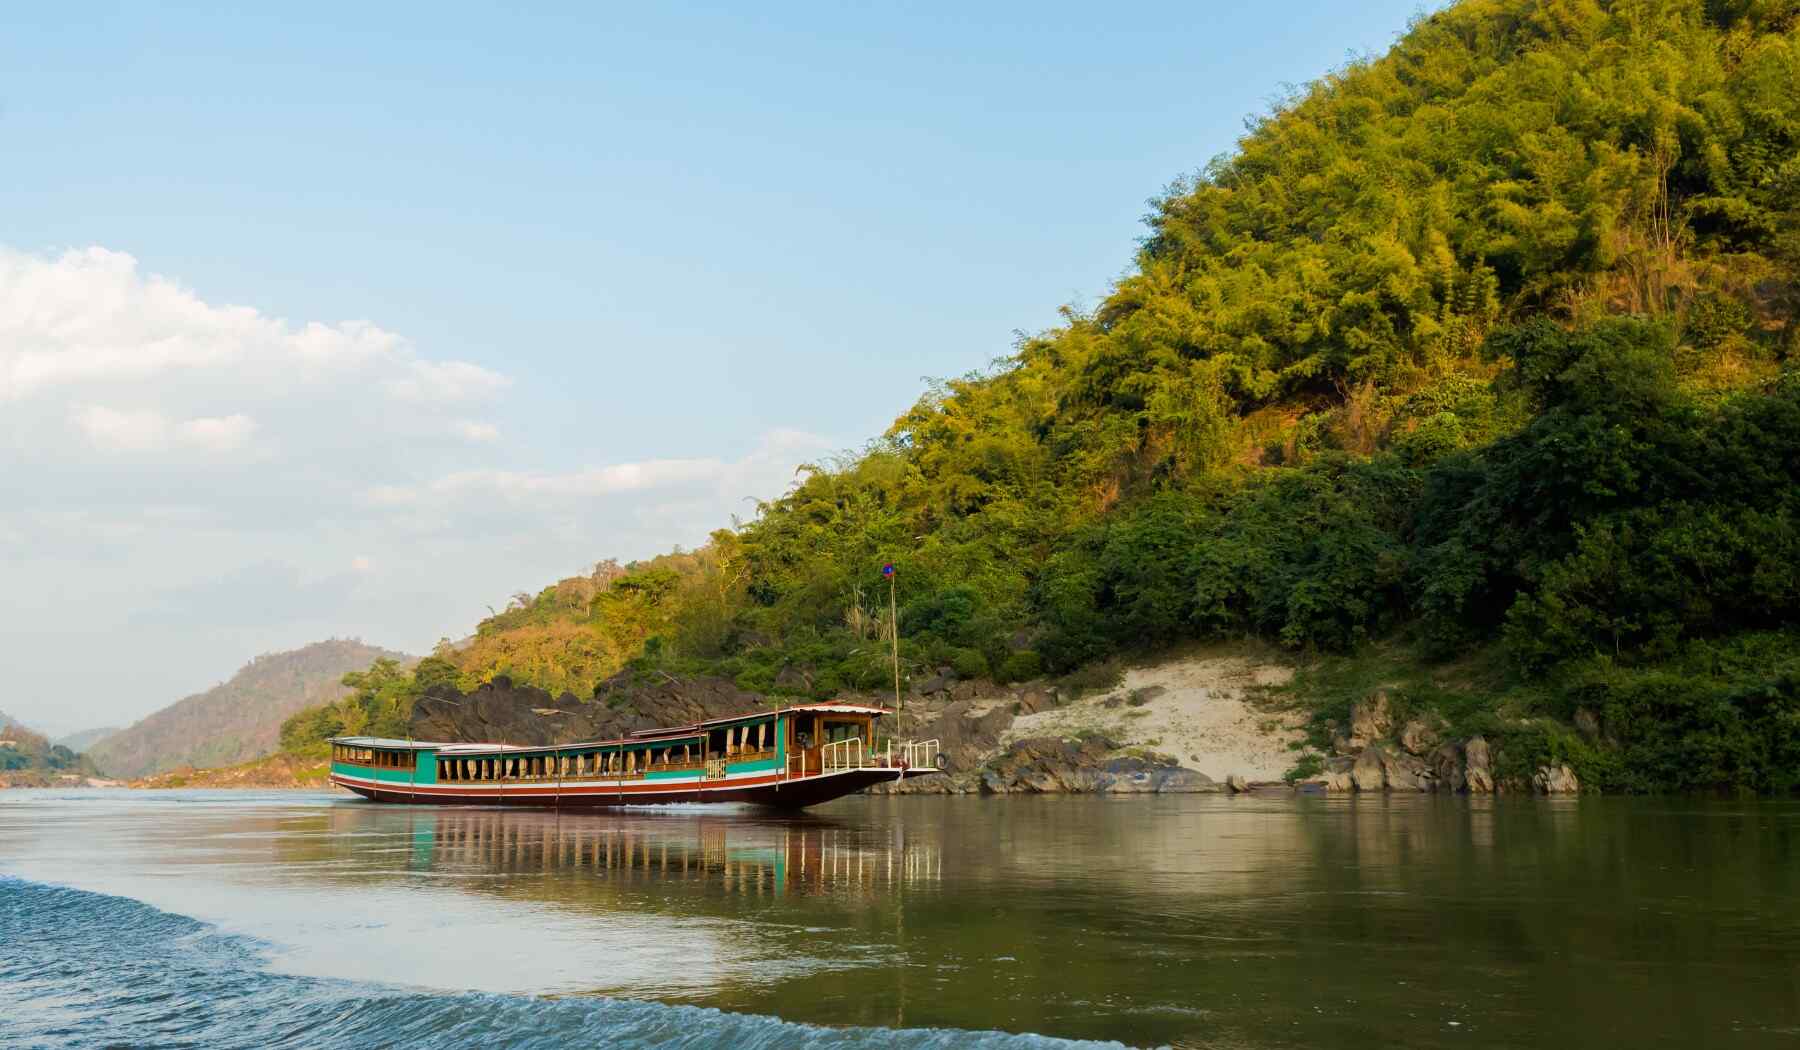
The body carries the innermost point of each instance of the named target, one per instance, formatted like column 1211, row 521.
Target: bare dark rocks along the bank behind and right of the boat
column 985, row 741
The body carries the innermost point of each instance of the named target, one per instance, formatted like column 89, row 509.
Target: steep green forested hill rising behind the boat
column 1479, row 354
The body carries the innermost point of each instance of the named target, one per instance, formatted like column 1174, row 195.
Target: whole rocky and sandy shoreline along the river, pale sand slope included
column 1029, row 739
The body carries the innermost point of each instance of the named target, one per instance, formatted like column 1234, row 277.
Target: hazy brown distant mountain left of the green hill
column 238, row 720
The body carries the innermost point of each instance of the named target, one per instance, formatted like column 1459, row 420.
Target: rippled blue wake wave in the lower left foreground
column 87, row 970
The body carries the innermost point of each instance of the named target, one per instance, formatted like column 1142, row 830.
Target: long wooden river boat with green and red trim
column 795, row 757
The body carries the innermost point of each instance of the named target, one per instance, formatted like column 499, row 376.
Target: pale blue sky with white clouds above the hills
column 354, row 320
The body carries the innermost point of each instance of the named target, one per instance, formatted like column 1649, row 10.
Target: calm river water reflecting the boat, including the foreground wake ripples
column 235, row 919
